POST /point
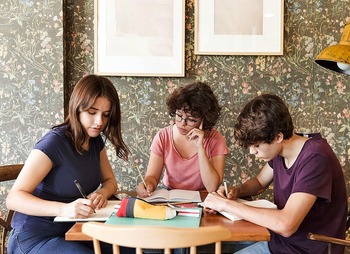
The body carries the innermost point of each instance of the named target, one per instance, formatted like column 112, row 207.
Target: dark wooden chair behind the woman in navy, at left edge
column 7, row 173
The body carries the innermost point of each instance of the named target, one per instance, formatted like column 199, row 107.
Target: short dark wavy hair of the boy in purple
column 261, row 119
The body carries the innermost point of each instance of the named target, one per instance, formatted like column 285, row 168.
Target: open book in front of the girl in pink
column 176, row 195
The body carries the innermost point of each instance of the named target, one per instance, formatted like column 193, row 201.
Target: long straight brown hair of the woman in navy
column 84, row 95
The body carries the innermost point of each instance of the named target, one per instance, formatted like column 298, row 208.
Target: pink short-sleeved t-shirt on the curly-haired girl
column 182, row 173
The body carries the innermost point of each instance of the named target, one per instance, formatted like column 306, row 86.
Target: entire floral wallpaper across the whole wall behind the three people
column 34, row 49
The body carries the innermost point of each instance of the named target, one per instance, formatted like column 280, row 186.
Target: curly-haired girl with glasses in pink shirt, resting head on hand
column 191, row 151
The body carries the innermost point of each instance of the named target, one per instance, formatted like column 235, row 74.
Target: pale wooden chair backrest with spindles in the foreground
column 152, row 237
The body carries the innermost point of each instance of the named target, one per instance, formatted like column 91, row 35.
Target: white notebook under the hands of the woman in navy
column 101, row 215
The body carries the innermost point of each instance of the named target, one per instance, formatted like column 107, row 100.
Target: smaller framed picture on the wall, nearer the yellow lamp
column 239, row 27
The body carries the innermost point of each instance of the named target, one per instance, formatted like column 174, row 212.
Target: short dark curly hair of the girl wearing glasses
column 198, row 100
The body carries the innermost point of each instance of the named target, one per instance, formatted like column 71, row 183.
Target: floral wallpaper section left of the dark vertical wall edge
column 31, row 77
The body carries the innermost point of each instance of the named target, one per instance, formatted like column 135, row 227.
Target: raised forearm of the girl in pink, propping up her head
column 209, row 174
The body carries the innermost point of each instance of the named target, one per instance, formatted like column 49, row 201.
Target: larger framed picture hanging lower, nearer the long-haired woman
column 139, row 37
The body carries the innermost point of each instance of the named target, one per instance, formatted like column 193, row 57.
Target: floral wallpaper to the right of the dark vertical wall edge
column 318, row 98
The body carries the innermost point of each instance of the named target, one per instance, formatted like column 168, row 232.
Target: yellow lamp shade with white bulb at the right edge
column 337, row 57
